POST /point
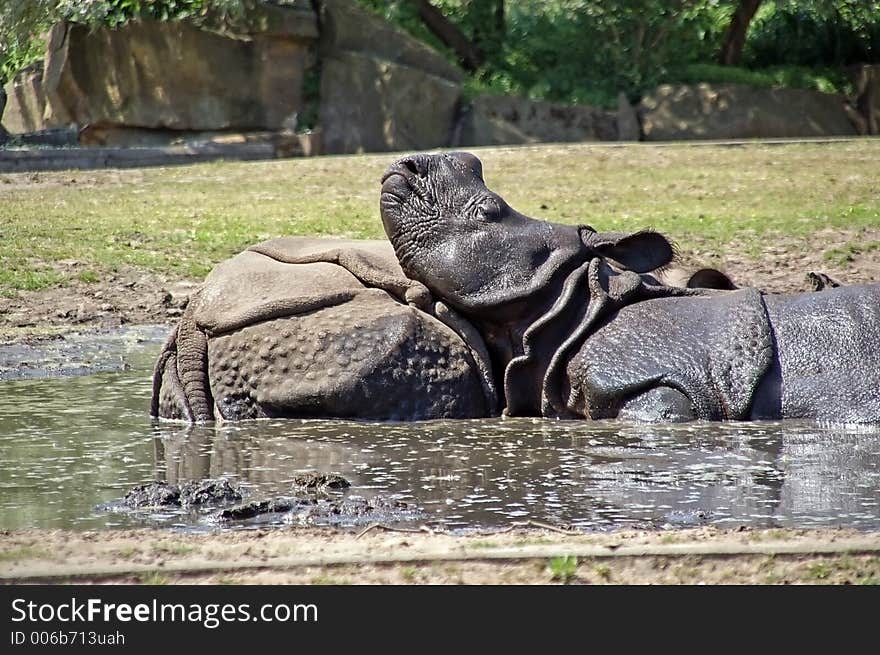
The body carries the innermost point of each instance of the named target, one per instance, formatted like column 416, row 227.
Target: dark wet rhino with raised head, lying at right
column 575, row 326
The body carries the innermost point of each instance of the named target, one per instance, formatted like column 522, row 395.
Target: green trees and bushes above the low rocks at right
column 586, row 51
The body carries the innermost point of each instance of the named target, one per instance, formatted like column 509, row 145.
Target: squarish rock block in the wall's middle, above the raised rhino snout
column 370, row 104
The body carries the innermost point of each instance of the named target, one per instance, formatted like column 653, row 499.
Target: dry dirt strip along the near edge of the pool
column 378, row 556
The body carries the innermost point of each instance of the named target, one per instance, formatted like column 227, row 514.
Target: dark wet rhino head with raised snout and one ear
column 479, row 254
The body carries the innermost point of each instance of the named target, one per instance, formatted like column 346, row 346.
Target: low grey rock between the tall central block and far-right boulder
column 507, row 120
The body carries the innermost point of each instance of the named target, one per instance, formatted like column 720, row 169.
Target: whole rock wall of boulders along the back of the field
column 154, row 83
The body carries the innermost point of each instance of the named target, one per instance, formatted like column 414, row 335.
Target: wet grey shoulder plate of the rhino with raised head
column 714, row 349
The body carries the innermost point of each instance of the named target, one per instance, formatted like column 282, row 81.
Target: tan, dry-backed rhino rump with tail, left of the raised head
column 317, row 328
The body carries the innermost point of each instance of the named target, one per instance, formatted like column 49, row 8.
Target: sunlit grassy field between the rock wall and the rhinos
column 183, row 220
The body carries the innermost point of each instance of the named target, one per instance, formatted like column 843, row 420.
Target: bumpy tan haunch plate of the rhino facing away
column 368, row 358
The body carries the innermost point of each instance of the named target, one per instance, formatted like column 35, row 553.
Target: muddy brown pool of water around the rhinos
column 70, row 446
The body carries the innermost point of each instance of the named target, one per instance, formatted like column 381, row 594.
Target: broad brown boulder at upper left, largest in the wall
column 173, row 75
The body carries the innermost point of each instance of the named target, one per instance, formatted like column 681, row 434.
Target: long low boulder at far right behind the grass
column 734, row 111
